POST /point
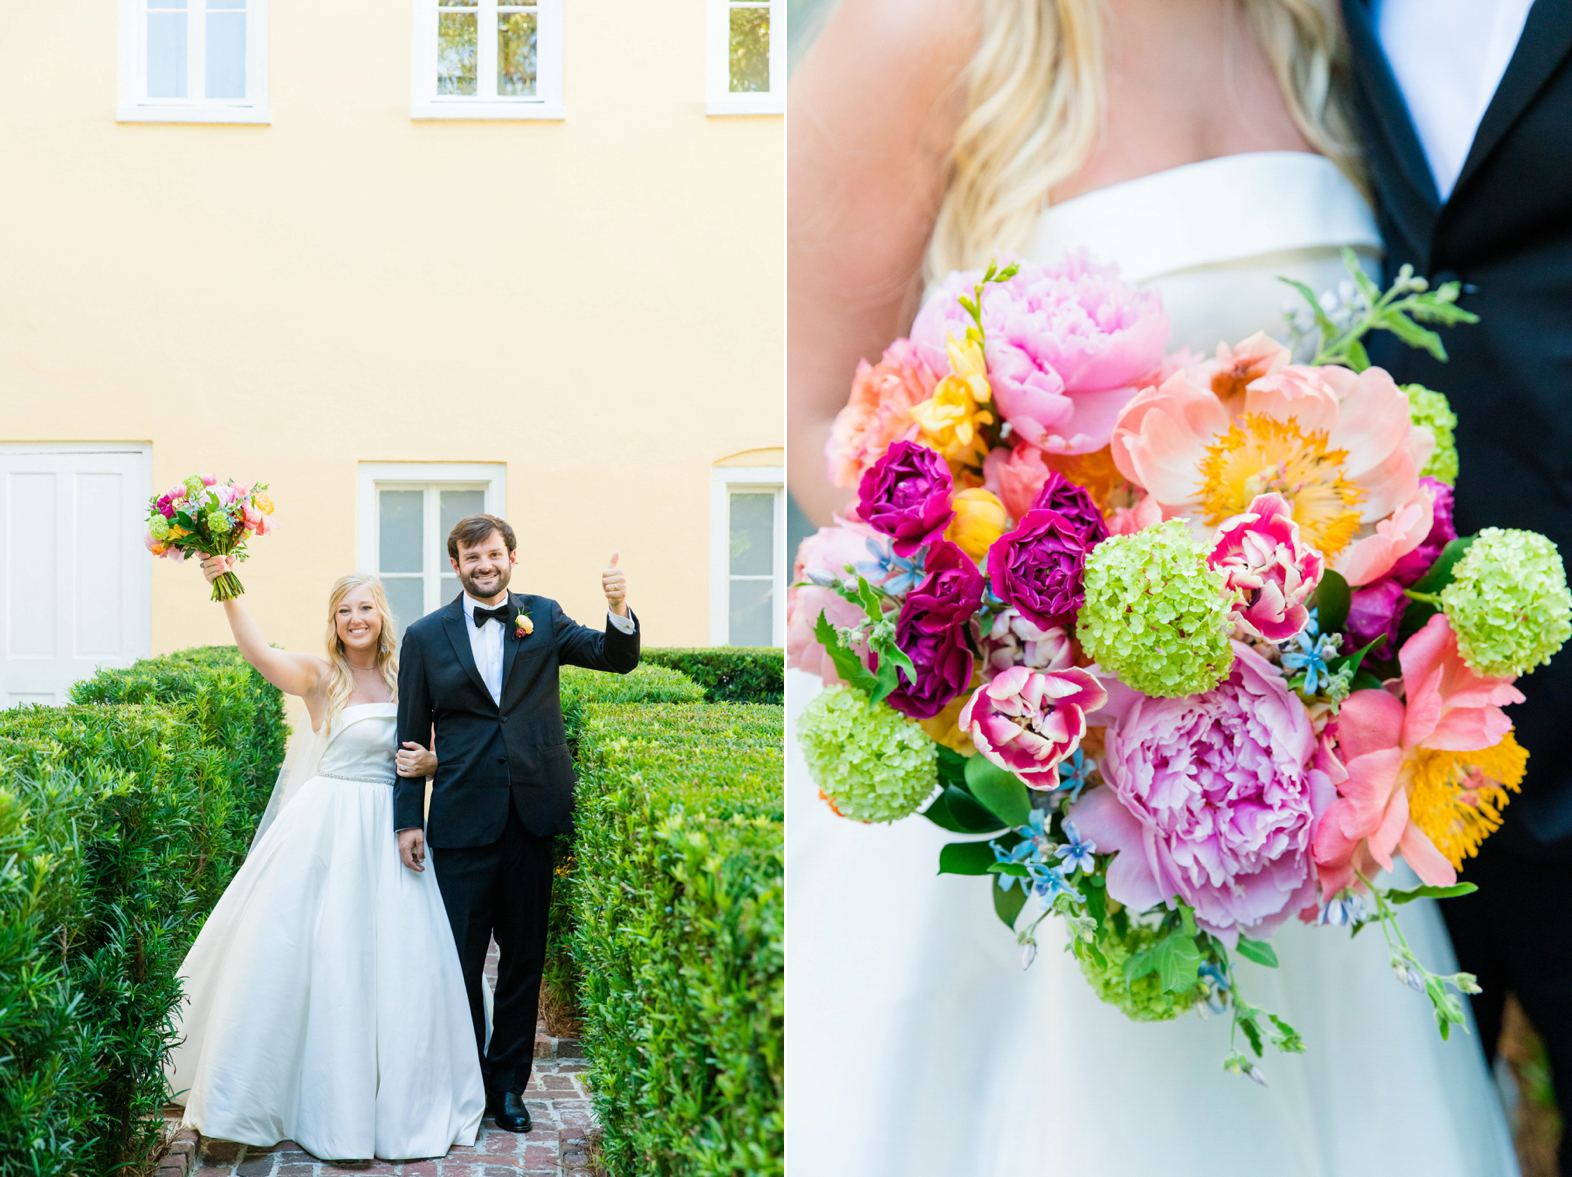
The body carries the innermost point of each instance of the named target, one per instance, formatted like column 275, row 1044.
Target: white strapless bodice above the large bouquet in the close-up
column 1214, row 238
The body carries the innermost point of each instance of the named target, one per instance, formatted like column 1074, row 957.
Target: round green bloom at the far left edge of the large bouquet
column 872, row 764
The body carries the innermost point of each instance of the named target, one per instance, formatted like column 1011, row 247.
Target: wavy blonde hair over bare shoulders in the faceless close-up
column 1035, row 108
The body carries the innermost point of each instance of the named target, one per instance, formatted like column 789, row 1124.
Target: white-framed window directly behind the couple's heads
column 405, row 515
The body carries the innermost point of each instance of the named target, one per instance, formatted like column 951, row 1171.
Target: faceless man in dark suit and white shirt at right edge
column 1467, row 117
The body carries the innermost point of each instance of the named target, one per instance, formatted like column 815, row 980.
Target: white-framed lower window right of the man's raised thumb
column 747, row 566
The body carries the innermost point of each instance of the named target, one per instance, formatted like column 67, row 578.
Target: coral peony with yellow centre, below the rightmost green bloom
column 1414, row 769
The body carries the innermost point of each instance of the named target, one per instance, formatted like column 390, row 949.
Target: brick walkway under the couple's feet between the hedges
column 556, row 1148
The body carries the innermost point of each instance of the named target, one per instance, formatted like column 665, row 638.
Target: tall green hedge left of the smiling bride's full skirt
column 120, row 826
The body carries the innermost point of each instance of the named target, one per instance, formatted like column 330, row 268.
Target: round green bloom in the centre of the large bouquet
column 1156, row 615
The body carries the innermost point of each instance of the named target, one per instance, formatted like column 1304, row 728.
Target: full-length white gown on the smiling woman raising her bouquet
column 325, row 997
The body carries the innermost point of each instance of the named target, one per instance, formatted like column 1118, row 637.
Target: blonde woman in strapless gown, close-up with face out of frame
column 1202, row 147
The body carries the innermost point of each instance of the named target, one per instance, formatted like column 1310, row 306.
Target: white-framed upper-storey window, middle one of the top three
column 488, row 59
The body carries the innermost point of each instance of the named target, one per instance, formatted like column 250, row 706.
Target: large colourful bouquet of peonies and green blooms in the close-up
column 1186, row 647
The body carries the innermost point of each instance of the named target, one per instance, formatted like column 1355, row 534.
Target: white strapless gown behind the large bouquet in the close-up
column 917, row 1047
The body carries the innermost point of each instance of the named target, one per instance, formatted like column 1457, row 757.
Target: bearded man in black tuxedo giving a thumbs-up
column 483, row 672
